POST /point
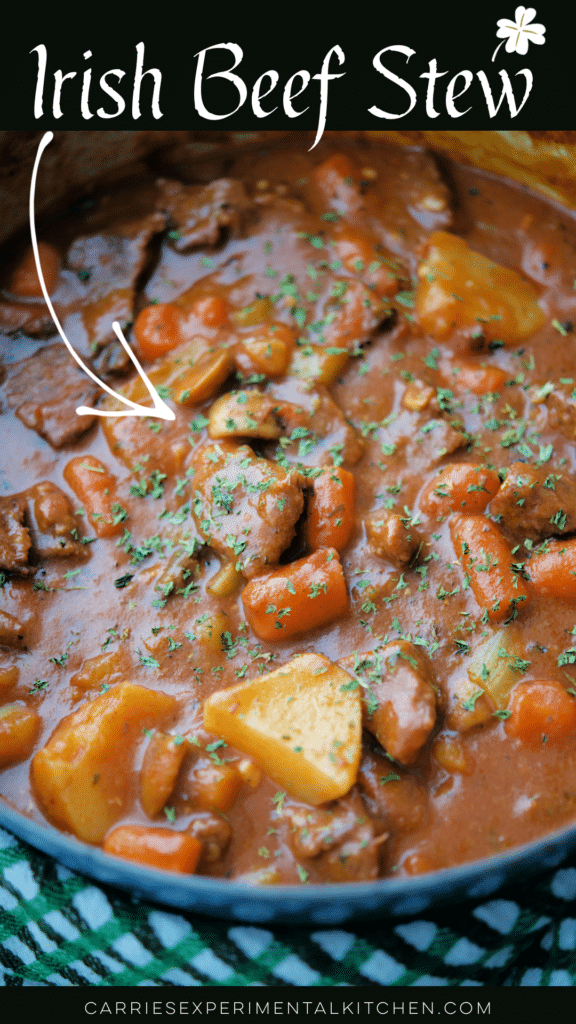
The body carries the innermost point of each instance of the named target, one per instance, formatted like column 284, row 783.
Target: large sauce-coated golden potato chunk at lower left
column 85, row 776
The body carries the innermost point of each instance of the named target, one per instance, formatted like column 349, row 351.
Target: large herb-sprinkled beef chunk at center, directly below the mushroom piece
column 245, row 507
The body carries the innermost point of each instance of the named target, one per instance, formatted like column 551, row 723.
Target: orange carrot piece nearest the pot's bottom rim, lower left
column 170, row 851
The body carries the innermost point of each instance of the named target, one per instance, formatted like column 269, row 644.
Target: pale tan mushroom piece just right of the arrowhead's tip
column 244, row 414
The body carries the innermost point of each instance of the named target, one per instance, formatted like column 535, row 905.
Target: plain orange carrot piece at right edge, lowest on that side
column 542, row 711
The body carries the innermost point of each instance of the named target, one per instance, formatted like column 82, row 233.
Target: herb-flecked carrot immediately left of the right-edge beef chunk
column 461, row 487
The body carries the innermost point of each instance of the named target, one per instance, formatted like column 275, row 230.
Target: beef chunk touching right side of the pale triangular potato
column 400, row 704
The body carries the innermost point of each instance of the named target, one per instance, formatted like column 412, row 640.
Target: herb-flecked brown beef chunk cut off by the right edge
column 536, row 502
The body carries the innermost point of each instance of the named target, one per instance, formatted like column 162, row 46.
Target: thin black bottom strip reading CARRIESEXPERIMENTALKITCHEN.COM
column 262, row 1004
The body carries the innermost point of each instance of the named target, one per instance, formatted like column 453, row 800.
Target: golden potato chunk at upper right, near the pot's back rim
column 461, row 289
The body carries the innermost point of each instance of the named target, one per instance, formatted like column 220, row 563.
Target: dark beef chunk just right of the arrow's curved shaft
column 109, row 265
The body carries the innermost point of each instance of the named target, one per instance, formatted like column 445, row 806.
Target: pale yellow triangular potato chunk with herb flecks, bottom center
column 301, row 723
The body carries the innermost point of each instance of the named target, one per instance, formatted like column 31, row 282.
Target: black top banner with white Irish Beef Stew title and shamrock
column 394, row 66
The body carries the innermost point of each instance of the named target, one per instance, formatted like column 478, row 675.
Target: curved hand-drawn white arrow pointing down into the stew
column 161, row 410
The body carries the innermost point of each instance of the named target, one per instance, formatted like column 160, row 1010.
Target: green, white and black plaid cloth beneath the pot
column 58, row 928
